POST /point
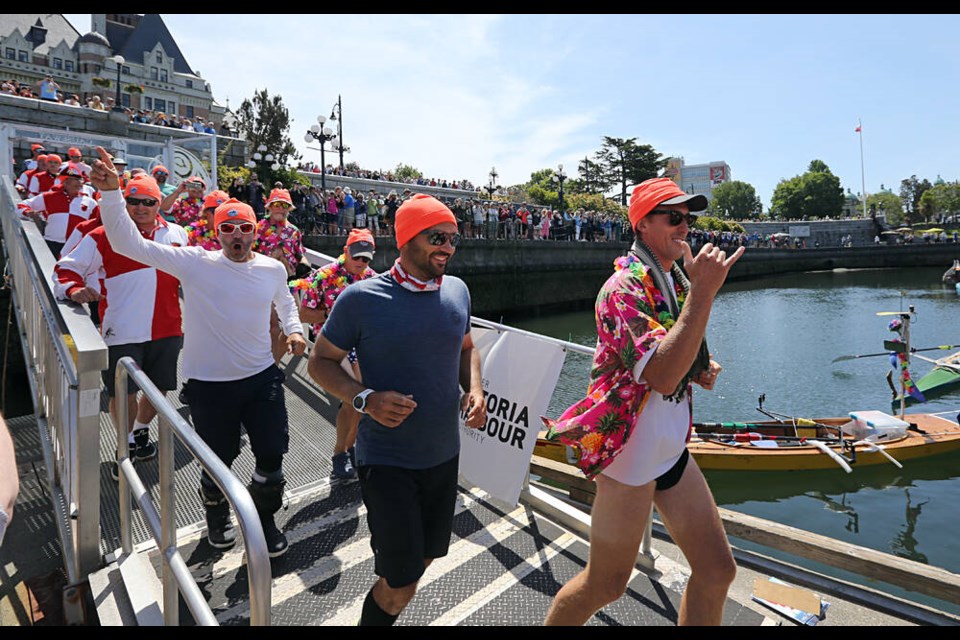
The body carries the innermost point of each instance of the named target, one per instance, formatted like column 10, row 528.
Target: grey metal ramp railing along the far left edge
column 64, row 355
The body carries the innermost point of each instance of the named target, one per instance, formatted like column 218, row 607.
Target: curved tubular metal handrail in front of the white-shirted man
column 175, row 574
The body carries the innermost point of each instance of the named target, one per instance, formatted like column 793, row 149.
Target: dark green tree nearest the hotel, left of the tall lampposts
column 264, row 120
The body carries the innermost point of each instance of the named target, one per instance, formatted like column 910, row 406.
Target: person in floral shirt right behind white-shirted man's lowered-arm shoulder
column 280, row 239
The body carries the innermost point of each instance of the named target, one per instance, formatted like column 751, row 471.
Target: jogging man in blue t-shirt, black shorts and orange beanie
column 413, row 341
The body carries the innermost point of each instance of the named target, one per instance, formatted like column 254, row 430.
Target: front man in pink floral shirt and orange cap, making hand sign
column 632, row 428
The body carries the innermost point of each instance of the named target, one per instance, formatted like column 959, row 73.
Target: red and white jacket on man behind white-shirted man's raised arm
column 139, row 303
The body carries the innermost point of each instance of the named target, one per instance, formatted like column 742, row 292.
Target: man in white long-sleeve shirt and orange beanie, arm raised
column 231, row 375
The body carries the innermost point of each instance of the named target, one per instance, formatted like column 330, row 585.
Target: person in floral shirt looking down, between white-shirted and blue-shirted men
column 319, row 291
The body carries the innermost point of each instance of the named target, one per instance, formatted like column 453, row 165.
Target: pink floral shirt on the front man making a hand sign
column 632, row 317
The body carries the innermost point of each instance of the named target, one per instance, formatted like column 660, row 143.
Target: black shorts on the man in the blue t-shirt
column 410, row 516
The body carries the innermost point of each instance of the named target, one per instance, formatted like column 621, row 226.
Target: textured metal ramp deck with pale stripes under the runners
column 503, row 568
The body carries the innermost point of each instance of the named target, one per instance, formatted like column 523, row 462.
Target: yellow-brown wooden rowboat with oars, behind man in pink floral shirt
column 799, row 445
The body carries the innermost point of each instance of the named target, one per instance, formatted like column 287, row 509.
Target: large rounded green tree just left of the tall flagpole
column 815, row 194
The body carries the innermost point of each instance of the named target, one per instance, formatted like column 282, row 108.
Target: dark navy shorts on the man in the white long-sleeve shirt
column 218, row 409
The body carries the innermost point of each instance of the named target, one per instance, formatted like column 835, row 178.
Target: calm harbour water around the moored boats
column 778, row 337
